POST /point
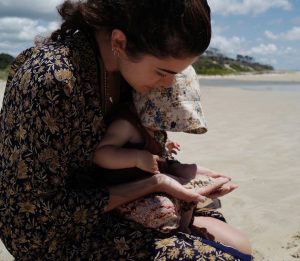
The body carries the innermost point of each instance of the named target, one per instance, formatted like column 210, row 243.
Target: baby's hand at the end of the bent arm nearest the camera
column 147, row 161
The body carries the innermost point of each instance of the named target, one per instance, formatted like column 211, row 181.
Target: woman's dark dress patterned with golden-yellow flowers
column 50, row 123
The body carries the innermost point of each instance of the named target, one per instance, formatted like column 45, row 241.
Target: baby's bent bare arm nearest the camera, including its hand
column 110, row 153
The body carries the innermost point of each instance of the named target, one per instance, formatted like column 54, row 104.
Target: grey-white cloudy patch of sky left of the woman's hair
column 22, row 21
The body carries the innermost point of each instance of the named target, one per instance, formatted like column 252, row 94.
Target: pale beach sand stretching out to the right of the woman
column 254, row 137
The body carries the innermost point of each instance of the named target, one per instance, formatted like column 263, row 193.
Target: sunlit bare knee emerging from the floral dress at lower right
column 214, row 229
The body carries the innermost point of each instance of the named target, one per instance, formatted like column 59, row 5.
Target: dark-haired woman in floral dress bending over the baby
column 56, row 99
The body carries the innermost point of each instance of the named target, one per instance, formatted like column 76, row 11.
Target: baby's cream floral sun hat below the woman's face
column 176, row 108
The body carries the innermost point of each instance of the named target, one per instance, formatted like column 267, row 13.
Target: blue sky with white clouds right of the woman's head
column 269, row 31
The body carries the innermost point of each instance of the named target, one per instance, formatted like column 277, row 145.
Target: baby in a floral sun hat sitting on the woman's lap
column 134, row 147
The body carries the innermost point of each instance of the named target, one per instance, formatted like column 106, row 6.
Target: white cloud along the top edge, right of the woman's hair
column 226, row 7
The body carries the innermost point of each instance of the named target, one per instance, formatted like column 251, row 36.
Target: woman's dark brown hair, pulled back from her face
column 162, row 28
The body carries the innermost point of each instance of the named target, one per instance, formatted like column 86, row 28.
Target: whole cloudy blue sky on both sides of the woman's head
column 267, row 30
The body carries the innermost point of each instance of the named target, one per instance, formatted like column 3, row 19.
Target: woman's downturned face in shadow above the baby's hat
column 151, row 72
